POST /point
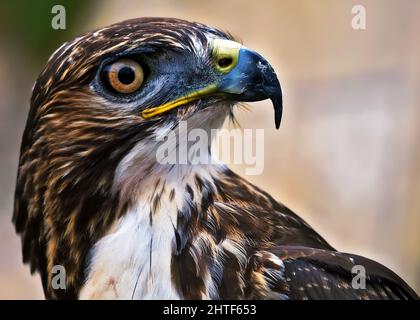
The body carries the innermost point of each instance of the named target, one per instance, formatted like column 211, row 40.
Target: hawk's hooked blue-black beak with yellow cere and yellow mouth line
column 246, row 76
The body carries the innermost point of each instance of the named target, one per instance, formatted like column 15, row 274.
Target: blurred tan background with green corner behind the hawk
column 347, row 156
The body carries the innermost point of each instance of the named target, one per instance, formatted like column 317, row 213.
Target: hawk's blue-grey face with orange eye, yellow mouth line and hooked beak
column 179, row 74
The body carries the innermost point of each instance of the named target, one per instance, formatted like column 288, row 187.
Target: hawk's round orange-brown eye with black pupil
column 123, row 76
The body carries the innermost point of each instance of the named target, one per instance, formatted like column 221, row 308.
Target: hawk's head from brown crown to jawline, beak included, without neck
column 151, row 73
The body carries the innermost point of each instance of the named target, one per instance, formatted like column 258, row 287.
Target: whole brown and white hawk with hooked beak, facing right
column 92, row 197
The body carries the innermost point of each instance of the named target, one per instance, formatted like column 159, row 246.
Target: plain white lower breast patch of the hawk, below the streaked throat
column 134, row 260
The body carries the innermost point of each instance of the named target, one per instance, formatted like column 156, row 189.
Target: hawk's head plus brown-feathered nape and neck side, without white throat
column 101, row 95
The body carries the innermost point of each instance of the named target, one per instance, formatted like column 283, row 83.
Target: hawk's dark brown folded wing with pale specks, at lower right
column 294, row 272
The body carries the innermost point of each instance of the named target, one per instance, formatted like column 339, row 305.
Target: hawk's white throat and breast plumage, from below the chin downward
column 163, row 201
